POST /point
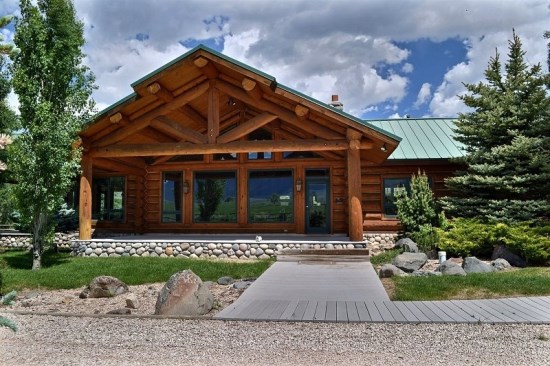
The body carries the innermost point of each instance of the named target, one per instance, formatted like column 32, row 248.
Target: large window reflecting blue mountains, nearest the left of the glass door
column 270, row 196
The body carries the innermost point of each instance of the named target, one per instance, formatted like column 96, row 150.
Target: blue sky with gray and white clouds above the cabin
column 385, row 59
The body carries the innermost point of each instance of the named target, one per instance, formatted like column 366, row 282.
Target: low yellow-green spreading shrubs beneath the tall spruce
column 469, row 237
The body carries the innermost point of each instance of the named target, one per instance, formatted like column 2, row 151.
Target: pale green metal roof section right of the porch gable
column 424, row 138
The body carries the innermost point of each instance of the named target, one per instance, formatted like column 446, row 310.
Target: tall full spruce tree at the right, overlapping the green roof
column 507, row 143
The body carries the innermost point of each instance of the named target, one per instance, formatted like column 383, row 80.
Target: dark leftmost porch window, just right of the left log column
column 108, row 198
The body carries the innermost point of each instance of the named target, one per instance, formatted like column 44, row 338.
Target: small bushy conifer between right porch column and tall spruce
column 418, row 212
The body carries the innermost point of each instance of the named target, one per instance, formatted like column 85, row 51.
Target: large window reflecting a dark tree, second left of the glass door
column 214, row 197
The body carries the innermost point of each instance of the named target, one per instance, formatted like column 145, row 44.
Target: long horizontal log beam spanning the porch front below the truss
column 230, row 147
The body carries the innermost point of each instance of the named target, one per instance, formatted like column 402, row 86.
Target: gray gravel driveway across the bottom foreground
column 58, row 340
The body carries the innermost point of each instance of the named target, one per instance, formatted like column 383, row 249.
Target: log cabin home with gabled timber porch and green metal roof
column 207, row 144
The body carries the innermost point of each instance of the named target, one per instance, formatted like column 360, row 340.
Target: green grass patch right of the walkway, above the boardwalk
column 533, row 281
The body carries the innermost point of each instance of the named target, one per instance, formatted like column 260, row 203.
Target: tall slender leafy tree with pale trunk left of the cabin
column 54, row 90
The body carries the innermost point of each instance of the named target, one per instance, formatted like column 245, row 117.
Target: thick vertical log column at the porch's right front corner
column 355, row 212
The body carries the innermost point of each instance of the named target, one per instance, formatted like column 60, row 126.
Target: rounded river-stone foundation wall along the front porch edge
column 220, row 250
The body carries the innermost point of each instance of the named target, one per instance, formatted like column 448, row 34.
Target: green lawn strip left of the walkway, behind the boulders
column 62, row 271
